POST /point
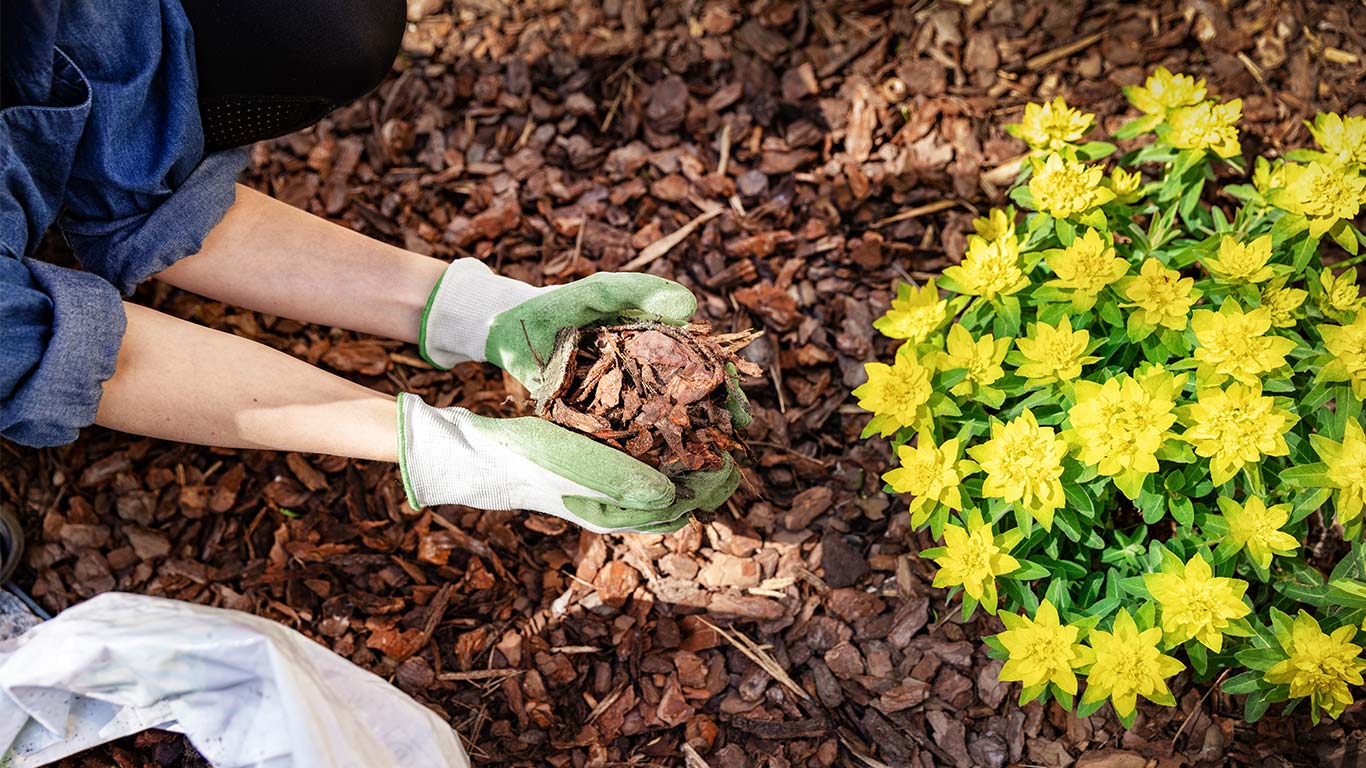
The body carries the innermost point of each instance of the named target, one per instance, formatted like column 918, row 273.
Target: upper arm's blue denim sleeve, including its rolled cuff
column 141, row 195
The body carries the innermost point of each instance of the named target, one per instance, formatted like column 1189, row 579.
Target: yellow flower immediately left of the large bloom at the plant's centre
column 1024, row 463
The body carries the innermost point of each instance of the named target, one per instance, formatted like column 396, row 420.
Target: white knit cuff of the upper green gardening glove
column 461, row 311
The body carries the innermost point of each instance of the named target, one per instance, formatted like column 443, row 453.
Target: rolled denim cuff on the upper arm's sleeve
column 129, row 251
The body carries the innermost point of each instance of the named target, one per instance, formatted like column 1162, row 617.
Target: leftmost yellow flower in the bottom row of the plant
column 1042, row 651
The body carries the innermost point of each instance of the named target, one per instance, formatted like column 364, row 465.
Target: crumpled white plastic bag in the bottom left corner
column 247, row 692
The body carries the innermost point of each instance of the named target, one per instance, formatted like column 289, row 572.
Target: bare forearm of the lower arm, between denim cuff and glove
column 182, row 382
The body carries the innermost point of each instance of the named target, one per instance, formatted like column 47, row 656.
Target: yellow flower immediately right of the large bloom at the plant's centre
column 1236, row 427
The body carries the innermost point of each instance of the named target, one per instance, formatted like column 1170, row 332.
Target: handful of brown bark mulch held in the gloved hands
column 655, row 392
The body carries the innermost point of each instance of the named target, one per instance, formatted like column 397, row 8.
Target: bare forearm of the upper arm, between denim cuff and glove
column 271, row 258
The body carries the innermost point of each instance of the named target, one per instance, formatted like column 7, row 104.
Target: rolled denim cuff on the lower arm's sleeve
column 62, row 394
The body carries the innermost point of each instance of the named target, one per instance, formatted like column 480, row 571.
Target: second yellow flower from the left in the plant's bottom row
column 1128, row 666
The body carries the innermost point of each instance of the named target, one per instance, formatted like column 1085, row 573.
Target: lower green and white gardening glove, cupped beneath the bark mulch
column 456, row 457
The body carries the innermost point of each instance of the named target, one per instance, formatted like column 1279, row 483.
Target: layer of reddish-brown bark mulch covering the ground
column 787, row 161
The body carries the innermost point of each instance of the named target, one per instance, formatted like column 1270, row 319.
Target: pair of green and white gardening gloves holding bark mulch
column 456, row 457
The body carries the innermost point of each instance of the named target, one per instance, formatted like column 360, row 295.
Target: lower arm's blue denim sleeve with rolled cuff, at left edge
column 59, row 329
